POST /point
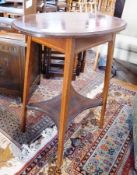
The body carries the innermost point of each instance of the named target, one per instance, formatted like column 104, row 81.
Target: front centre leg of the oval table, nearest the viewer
column 68, row 70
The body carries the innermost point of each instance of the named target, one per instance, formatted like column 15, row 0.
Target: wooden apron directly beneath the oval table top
column 81, row 44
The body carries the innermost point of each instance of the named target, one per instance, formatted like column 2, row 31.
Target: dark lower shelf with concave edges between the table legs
column 78, row 103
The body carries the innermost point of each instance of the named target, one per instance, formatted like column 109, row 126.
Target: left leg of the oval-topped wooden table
column 26, row 82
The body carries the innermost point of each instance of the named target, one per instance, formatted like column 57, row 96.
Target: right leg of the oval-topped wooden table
column 107, row 78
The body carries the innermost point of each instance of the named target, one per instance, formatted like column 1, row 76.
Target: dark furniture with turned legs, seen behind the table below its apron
column 53, row 63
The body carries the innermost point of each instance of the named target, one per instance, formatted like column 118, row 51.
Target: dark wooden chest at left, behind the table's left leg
column 12, row 61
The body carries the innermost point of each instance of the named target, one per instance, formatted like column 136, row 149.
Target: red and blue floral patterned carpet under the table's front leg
column 91, row 151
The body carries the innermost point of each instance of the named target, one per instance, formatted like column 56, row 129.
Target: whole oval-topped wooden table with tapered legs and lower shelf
column 70, row 36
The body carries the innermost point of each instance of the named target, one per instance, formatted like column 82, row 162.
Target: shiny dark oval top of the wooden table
column 68, row 24
